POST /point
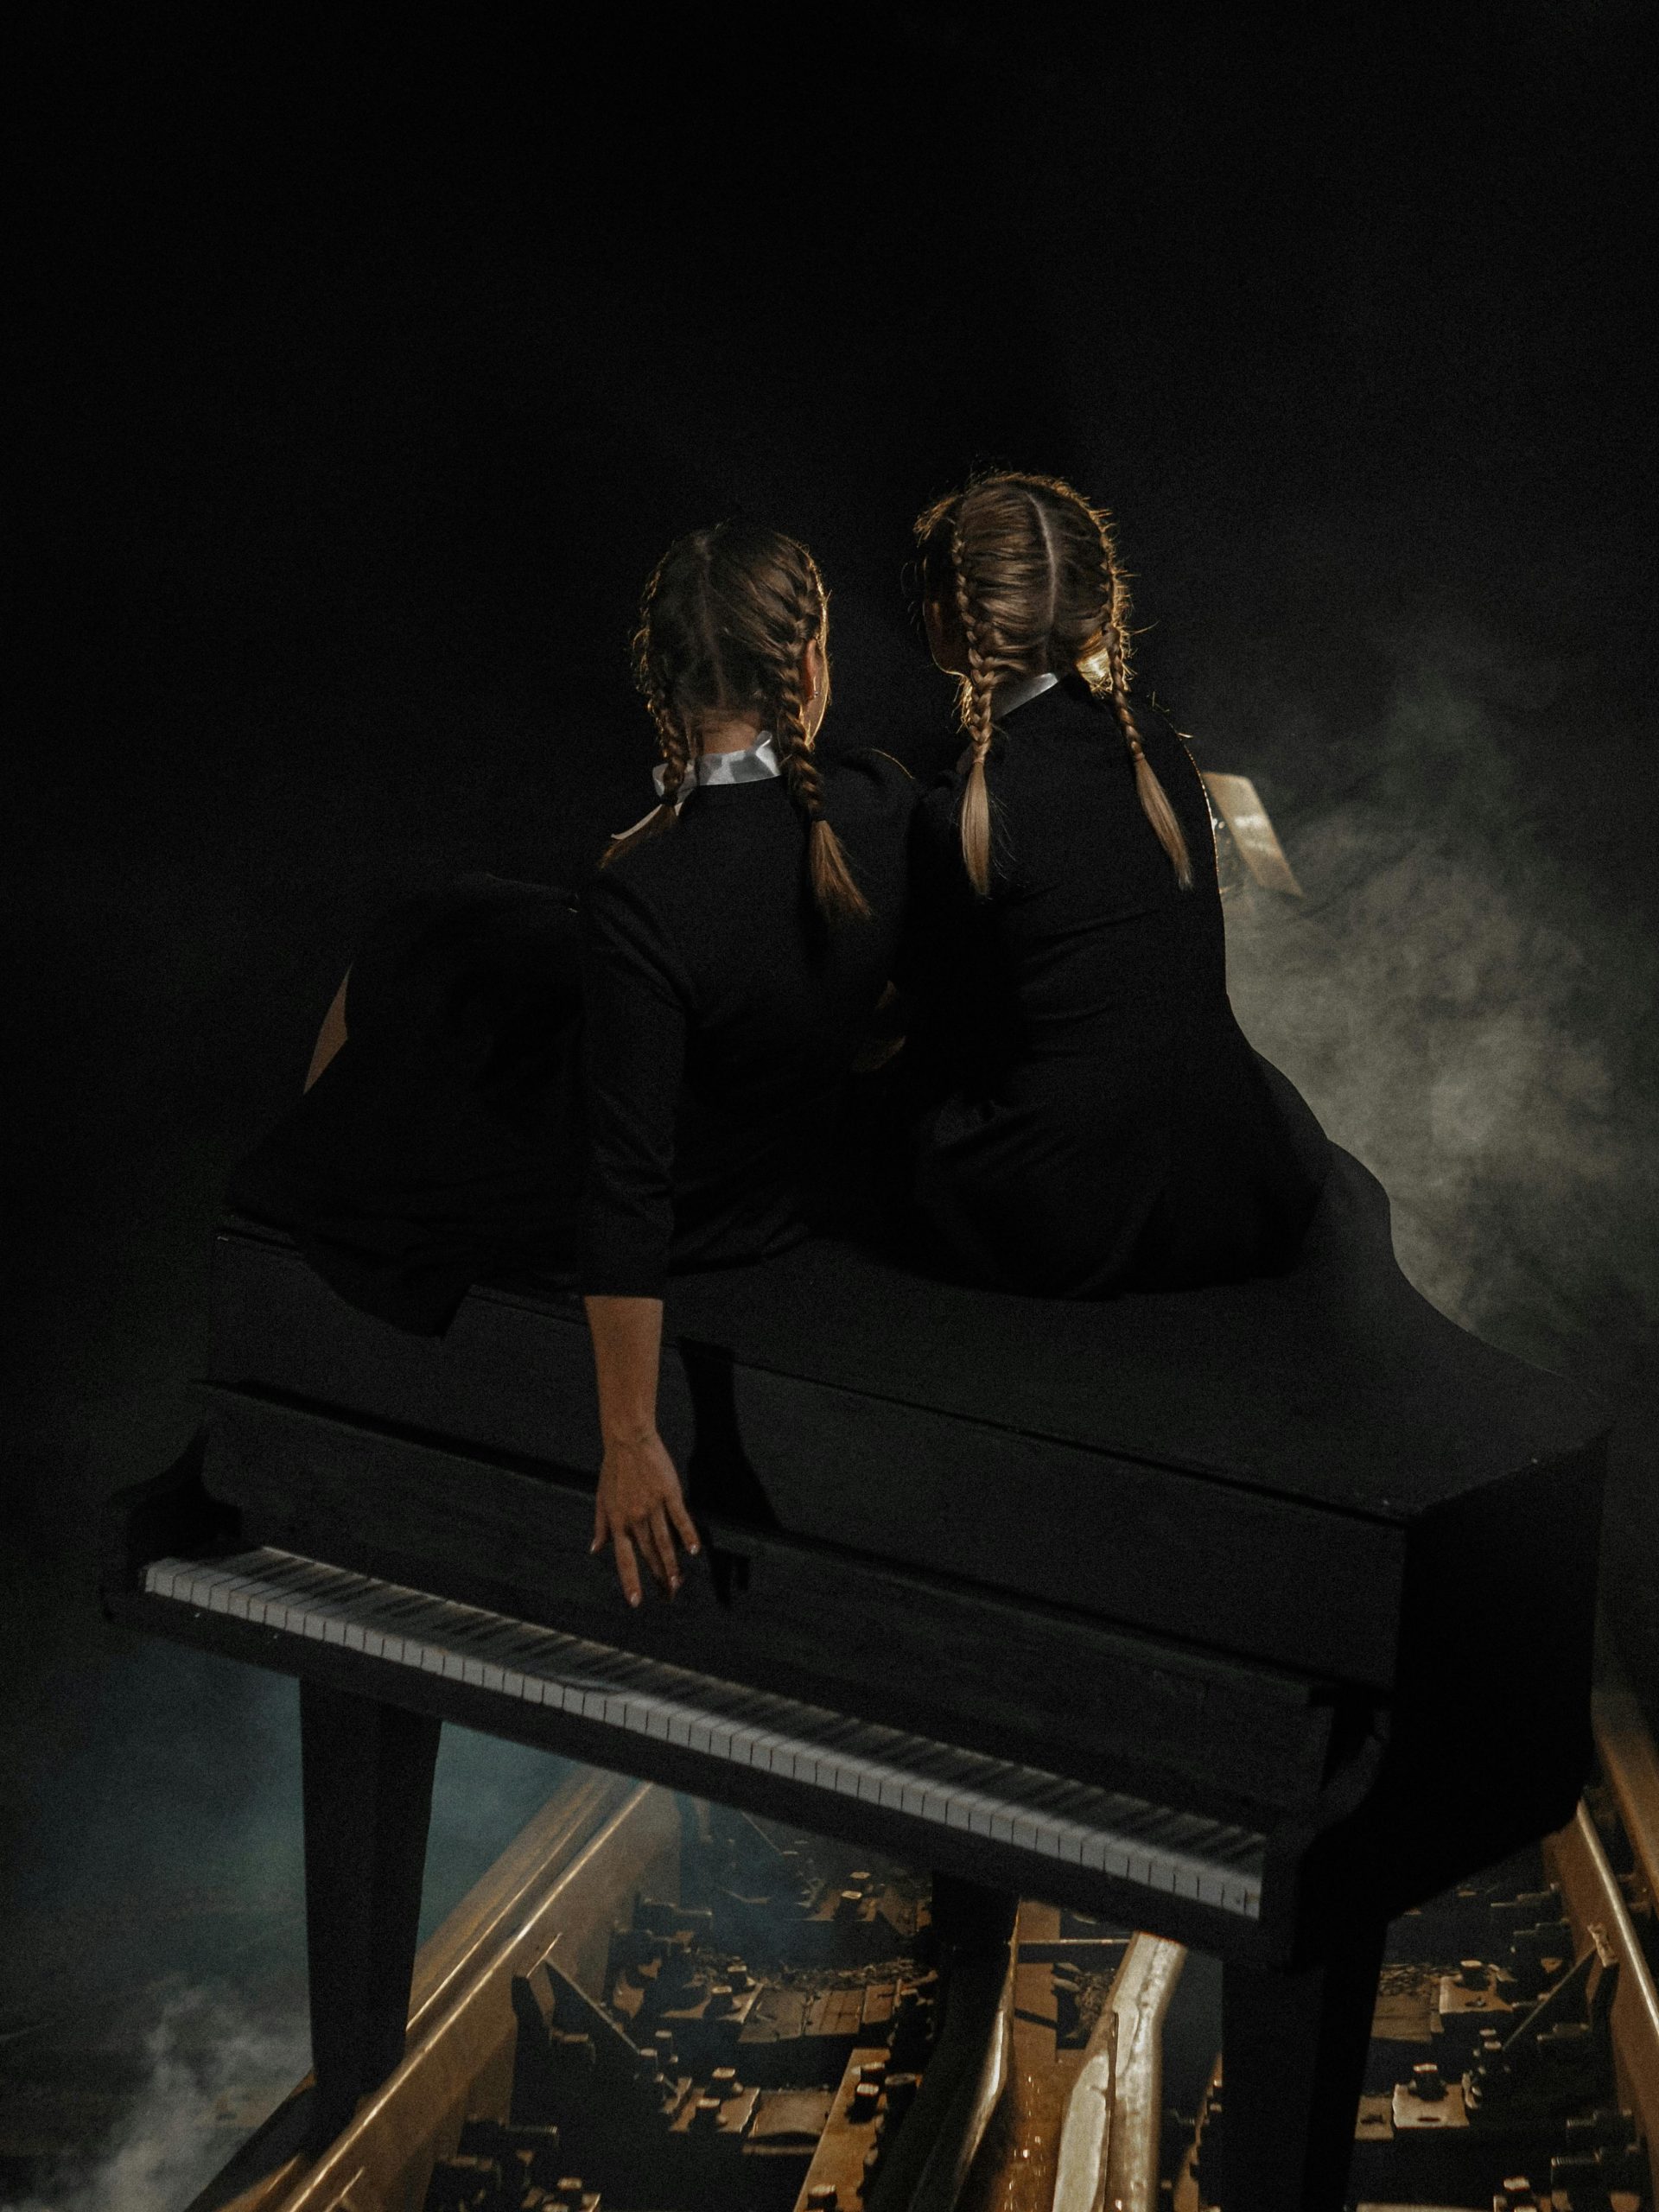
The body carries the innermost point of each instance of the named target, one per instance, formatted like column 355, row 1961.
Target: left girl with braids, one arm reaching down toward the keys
column 638, row 1083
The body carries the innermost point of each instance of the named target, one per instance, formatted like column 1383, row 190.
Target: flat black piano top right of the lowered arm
column 1337, row 1384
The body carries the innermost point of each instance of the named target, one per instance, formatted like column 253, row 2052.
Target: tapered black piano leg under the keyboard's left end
column 368, row 1802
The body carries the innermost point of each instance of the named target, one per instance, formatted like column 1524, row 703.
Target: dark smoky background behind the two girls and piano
column 364, row 377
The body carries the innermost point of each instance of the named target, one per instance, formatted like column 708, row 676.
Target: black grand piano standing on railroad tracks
column 1246, row 1616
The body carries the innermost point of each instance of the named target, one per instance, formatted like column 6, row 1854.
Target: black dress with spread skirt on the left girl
column 596, row 1092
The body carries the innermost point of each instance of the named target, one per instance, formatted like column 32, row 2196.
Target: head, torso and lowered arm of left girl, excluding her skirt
column 738, row 943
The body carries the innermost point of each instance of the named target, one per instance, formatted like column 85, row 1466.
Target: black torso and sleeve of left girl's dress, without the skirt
column 724, row 1016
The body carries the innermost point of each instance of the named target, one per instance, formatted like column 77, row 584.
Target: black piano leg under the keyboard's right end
column 1293, row 2056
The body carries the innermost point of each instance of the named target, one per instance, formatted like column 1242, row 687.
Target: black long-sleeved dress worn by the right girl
column 1094, row 1118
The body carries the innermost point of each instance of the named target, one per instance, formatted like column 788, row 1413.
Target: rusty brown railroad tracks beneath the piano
column 1045, row 2076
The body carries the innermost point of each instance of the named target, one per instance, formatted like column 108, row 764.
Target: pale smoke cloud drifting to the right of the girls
column 1465, row 1012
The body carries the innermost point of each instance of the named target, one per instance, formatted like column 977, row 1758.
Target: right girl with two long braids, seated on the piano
column 1094, row 1118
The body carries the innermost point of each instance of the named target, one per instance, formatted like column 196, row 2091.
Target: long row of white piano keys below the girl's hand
column 937, row 1784
